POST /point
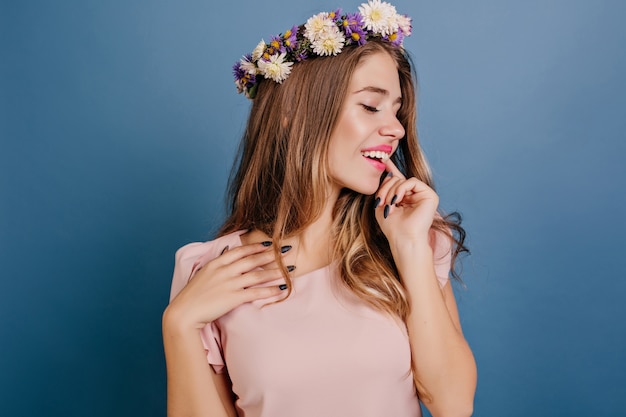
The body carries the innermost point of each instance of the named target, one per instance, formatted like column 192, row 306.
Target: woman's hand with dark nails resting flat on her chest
column 231, row 279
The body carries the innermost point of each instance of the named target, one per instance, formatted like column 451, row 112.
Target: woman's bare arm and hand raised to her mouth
column 443, row 363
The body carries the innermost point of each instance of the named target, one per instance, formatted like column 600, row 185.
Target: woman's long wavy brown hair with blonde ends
column 280, row 180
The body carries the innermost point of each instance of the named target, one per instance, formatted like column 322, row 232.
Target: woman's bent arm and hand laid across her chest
column 231, row 279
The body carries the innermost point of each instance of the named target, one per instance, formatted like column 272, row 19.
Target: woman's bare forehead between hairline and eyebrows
column 376, row 70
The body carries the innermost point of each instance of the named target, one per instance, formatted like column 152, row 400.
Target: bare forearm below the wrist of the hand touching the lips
column 443, row 362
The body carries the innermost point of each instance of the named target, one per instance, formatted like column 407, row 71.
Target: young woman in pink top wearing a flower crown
column 326, row 292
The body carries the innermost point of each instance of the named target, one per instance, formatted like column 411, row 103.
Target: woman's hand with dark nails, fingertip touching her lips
column 406, row 208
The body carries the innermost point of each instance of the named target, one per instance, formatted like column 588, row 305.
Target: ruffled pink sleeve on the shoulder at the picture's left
column 189, row 259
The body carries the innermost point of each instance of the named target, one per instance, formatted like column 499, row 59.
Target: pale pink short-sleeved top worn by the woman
column 321, row 352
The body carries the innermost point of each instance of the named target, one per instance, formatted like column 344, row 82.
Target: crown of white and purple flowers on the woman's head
column 324, row 34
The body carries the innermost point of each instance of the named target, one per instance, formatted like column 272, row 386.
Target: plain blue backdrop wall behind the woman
column 118, row 124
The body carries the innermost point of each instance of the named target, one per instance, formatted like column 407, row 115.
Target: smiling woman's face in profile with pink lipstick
column 368, row 130
